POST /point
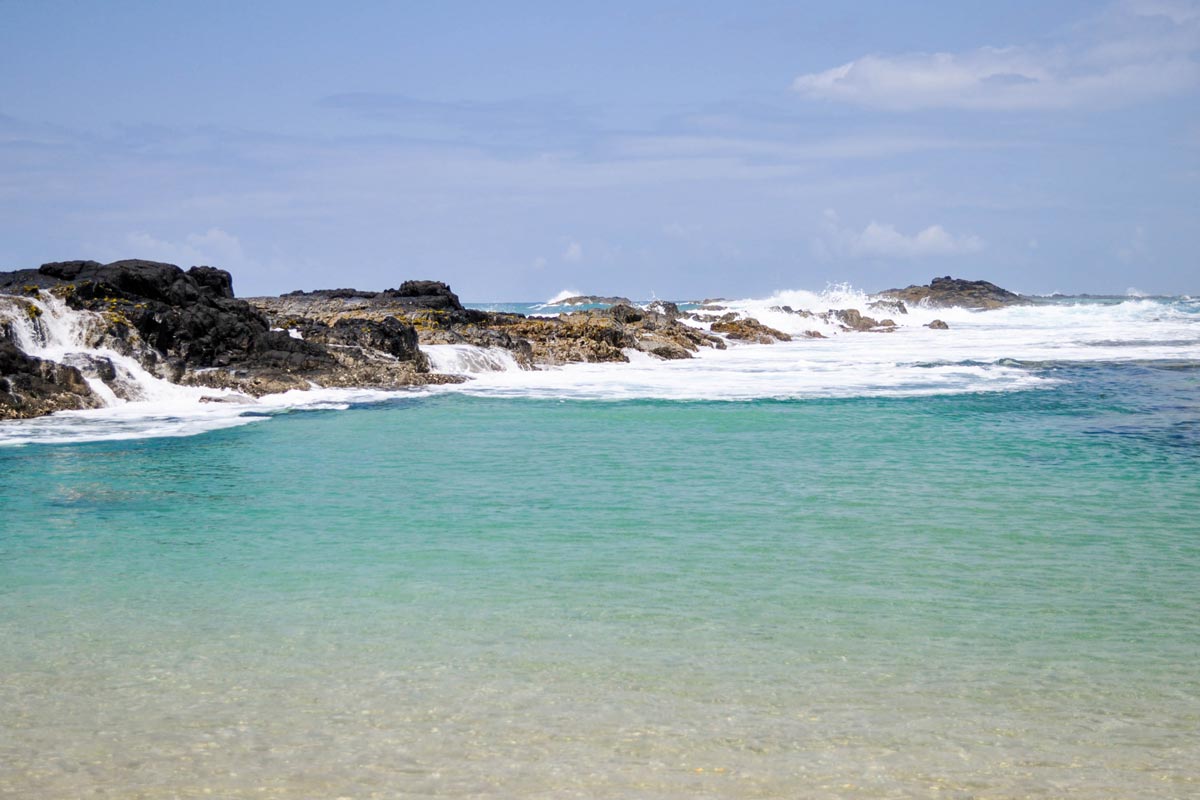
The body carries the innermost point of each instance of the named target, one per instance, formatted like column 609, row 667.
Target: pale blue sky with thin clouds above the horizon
column 649, row 149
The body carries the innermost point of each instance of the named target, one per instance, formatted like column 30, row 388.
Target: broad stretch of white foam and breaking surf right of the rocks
column 981, row 352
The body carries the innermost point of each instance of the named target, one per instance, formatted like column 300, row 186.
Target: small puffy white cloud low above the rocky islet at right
column 881, row 240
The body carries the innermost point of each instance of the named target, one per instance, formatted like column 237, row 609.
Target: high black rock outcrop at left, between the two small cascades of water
column 187, row 327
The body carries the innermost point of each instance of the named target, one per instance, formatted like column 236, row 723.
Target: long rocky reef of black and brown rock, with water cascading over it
column 74, row 333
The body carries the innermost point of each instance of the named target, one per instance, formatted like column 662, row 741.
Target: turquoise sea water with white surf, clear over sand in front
column 955, row 564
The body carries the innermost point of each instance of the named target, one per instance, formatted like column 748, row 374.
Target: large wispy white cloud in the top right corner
column 1135, row 52
